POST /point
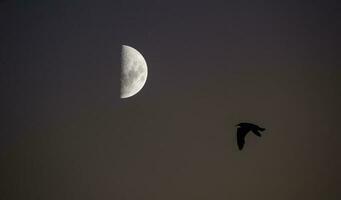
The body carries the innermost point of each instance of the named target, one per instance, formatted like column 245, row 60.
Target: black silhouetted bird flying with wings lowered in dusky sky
column 243, row 129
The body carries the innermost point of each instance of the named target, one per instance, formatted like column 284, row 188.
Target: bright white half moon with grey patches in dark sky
column 134, row 71
